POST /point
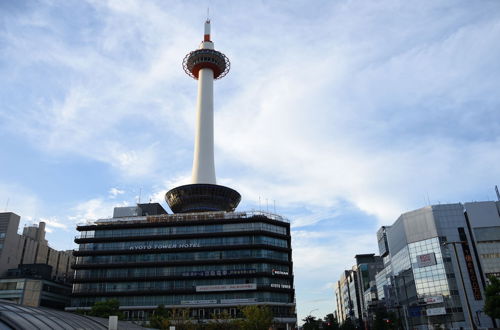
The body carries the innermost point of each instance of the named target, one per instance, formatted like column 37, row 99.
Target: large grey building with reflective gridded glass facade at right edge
column 436, row 259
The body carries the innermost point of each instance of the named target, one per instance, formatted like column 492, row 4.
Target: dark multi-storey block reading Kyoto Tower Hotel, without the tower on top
column 207, row 262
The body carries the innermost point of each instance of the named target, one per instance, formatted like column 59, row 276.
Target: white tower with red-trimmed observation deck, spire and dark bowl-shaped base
column 203, row 194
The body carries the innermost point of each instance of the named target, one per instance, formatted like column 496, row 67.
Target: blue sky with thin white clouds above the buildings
column 338, row 115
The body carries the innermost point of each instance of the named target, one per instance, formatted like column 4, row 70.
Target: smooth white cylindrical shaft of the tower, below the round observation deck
column 203, row 161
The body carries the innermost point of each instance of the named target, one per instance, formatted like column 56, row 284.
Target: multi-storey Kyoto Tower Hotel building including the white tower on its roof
column 205, row 257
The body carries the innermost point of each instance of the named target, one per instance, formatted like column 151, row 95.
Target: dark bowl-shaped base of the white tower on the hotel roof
column 202, row 197
